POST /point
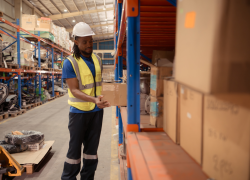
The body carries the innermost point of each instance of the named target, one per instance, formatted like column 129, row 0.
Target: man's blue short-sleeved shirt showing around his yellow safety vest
column 68, row 72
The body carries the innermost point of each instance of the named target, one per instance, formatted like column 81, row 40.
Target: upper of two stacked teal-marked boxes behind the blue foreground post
column 156, row 79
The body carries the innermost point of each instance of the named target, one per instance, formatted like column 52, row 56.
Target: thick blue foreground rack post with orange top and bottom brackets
column 133, row 68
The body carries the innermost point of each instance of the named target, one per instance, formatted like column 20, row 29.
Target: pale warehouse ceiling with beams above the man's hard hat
column 98, row 14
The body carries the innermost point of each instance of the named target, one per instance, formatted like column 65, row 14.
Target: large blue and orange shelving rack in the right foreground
column 142, row 26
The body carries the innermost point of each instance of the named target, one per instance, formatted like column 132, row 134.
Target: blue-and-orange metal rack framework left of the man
column 38, row 73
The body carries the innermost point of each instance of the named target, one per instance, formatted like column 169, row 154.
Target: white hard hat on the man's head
column 82, row 29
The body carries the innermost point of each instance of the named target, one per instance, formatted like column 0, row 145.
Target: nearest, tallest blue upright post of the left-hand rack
column 19, row 63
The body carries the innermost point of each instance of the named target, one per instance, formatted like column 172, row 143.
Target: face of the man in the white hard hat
column 85, row 44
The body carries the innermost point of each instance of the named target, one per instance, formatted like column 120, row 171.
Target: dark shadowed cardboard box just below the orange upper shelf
column 157, row 55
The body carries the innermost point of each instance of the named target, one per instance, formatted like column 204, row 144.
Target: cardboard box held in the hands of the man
column 115, row 93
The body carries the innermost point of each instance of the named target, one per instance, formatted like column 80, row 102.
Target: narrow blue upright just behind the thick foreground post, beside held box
column 120, row 72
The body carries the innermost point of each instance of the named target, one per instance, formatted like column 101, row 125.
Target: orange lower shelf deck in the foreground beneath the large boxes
column 155, row 156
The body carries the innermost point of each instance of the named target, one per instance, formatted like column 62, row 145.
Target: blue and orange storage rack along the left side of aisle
column 49, row 46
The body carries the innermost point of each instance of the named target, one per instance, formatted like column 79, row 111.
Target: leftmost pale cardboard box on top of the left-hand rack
column 29, row 22
